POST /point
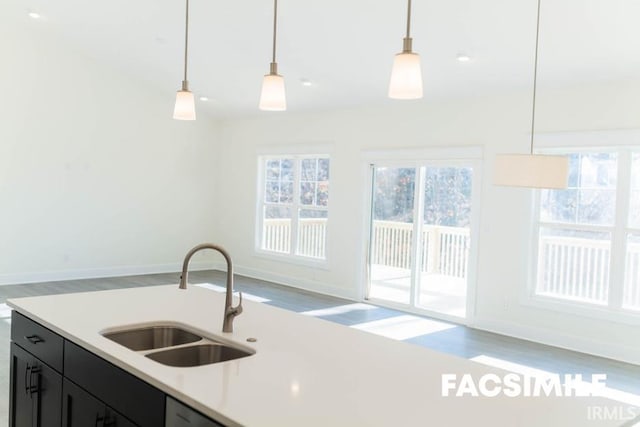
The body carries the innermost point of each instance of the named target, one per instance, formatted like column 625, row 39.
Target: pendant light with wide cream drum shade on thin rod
column 532, row 170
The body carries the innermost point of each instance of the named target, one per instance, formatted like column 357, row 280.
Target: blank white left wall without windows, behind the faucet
column 96, row 179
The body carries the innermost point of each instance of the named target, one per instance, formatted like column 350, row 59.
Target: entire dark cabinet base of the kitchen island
column 56, row 383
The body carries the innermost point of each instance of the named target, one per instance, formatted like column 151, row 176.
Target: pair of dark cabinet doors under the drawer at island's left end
column 35, row 391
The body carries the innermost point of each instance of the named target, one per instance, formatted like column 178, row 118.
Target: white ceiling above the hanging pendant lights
column 346, row 47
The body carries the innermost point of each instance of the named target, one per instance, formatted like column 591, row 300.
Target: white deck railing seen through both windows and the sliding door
column 571, row 268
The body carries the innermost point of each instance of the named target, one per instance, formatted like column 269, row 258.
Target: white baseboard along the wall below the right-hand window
column 620, row 352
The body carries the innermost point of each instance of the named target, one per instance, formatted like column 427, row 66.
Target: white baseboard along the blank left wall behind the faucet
column 96, row 273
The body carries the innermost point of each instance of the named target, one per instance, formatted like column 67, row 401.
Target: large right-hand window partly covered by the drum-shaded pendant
column 589, row 234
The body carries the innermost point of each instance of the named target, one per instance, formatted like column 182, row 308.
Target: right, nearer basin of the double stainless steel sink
column 197, row 355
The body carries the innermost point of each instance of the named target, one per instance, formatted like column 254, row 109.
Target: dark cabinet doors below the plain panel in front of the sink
column 80, row 409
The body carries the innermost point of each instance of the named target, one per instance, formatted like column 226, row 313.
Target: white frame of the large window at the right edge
column 584, row 142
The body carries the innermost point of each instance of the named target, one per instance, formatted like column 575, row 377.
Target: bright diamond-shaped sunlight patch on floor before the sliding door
column 403, row 327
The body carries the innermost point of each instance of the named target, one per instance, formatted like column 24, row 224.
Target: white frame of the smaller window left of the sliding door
column 292, row 257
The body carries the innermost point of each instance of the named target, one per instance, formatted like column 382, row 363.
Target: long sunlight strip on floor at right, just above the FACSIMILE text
column 607, row 392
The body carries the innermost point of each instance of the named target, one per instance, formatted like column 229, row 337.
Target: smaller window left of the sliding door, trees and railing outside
column 293, row 209
